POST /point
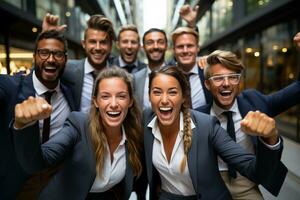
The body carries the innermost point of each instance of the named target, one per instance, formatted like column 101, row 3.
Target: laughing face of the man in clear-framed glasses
column 225, row 94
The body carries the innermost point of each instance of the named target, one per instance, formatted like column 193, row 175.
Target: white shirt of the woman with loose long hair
column 113, row 172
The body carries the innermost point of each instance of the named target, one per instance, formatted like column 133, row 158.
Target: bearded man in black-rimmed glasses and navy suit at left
column 50, row 56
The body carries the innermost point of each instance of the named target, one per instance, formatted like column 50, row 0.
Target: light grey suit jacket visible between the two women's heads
column 139, row 79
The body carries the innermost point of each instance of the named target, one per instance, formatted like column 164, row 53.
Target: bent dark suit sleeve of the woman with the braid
column 258, row 168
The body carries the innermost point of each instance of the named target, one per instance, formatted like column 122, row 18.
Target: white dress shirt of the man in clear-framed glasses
column 242, row 138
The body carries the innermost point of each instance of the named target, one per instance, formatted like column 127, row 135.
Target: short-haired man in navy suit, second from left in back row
column 128, row 43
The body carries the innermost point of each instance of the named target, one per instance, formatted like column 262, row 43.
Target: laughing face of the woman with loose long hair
column 113, row 102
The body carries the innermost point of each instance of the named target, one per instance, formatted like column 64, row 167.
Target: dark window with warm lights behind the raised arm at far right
column 280, row 68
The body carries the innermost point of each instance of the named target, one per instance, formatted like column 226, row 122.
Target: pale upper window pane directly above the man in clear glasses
column 221, row 15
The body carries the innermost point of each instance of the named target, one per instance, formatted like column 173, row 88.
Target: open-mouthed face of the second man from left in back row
column 128, row 45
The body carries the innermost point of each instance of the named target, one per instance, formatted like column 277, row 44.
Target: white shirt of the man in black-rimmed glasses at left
column 60, row 107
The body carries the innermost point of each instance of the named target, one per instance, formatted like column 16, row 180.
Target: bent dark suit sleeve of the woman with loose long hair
column 33, row 156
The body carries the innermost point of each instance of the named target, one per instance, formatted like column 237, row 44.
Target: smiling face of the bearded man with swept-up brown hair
column 97, row 45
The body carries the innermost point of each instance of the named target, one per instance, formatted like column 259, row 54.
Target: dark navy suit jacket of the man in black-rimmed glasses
column 13, row 90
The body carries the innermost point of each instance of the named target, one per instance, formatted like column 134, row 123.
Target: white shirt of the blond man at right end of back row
column 197, row 92
